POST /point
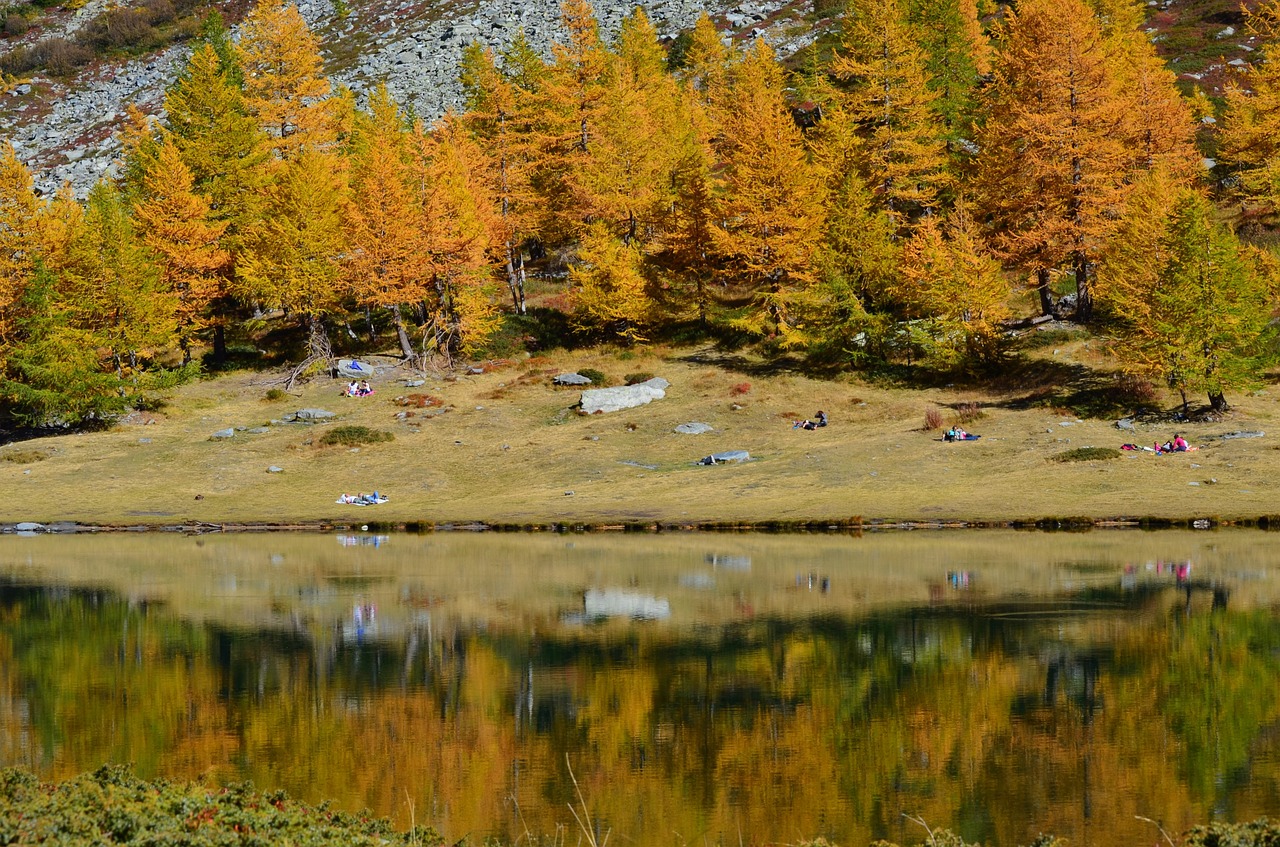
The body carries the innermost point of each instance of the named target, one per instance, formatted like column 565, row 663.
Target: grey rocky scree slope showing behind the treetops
column 66, row 129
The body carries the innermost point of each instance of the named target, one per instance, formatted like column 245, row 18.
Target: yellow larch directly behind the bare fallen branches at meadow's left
column 291, row 258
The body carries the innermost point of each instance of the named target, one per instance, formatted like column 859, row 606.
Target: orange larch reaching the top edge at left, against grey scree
column 285, row 85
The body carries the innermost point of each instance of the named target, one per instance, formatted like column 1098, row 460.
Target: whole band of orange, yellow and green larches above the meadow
column 956, row 155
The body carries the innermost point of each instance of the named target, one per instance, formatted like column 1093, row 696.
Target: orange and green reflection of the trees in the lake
column 998, row 717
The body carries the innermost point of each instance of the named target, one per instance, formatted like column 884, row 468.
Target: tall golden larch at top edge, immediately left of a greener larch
column 889, row 99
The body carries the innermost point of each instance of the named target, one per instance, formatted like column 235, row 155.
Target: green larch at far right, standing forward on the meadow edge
column 1206, row 326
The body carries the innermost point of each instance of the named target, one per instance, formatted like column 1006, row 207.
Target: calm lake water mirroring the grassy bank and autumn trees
column 701, row 689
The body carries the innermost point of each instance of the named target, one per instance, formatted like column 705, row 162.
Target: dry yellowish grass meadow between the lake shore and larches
column 514, row 459
